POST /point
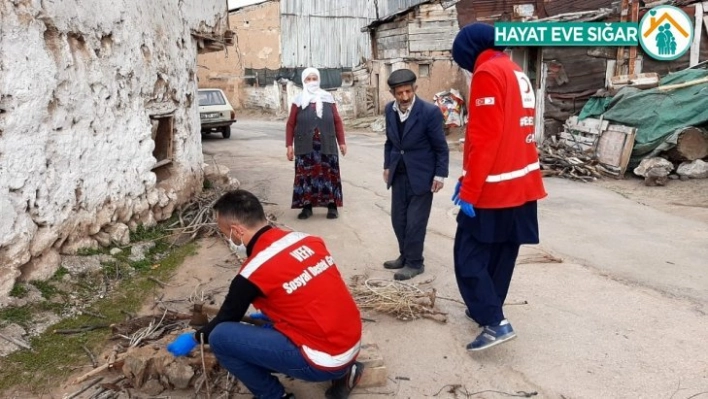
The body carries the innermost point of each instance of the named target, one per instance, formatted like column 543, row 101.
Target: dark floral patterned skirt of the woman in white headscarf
column 317, row 179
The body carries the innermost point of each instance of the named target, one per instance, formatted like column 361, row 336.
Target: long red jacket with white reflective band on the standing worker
column 500, row 160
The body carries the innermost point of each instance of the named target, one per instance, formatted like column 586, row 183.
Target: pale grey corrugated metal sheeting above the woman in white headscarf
column 325, row 33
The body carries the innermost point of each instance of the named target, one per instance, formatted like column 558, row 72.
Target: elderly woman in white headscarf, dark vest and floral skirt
column 314, row 132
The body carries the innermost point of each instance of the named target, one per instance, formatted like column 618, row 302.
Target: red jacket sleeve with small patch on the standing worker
column 484, row 133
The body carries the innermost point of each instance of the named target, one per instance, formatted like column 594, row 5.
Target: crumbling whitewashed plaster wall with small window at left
column 79, row 80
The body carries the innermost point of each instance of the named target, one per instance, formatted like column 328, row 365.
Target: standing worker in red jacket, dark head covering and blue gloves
column 500, row 182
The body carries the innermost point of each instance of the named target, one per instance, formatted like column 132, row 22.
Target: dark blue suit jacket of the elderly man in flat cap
column 422, row 146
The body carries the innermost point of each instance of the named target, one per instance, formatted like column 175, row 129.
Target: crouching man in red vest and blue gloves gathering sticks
column 314, row 325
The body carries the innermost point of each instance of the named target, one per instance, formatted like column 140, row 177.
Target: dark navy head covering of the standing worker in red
column 470, row 42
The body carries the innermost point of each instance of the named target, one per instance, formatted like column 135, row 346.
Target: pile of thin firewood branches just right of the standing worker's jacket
column 558, row 159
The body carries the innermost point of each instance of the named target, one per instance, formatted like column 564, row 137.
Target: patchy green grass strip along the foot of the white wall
column 54, row 357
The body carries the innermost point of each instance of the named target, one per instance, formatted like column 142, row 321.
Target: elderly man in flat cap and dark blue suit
column 416, row 158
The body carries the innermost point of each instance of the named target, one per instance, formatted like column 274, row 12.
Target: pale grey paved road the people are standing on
column 624, row 316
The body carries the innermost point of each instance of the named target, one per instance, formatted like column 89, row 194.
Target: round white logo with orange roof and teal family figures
column 666, row 33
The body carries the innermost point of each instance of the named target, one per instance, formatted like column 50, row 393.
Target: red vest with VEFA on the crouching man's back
column 305, row 297
